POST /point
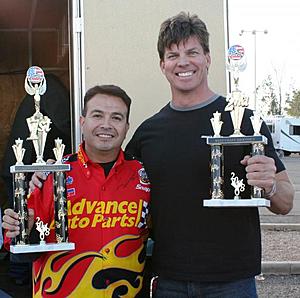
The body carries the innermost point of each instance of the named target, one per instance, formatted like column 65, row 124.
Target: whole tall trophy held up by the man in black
column 236, row 104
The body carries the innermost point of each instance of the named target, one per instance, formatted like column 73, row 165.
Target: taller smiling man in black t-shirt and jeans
column 200, row 251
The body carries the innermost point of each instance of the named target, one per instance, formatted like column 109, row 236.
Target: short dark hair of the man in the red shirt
column 107, row 90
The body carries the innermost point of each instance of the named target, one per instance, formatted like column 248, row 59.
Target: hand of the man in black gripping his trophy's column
column 261, row 171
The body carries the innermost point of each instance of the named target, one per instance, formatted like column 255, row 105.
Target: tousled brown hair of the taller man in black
column 180, row 28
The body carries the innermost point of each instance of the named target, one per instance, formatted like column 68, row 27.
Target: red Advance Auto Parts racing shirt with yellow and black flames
column 107, row 223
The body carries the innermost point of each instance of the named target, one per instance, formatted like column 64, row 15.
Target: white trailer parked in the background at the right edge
column 285, row 133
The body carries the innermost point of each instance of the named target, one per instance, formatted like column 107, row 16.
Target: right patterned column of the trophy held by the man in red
column 60, row 203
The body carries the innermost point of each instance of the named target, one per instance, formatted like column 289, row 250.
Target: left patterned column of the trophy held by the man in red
column 20, row 207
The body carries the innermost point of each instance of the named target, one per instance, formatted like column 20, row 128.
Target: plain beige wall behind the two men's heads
column 120, row 48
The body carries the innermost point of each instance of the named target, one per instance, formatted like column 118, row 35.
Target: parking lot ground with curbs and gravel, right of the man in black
column 288, row 226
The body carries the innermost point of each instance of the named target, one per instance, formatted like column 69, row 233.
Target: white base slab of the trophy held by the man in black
column 255, row 202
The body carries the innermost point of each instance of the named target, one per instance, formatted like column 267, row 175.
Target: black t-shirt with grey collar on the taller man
column 193, row 242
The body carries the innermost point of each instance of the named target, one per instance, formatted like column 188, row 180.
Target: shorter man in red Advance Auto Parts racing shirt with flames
column 108, row 195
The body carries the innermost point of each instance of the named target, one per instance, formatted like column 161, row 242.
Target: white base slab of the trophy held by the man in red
column 43, row 247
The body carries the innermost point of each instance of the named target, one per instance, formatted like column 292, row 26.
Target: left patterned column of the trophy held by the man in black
column 216, row 175
